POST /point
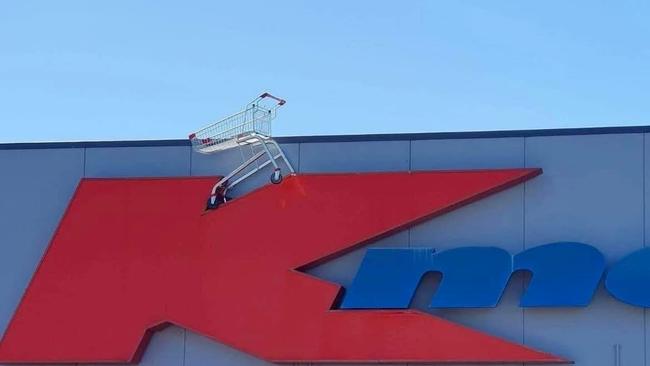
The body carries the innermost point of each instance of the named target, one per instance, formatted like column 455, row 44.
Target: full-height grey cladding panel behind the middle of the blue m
column 493, row 221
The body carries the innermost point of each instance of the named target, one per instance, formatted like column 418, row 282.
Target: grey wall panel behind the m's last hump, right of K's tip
column 591, row 191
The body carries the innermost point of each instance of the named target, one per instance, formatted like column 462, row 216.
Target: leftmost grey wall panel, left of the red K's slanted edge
column 35, row 189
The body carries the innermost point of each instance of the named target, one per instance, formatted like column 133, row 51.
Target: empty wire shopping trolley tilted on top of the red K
column 248, row 129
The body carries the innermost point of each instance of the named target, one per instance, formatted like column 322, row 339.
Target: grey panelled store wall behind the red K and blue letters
column 593, row 190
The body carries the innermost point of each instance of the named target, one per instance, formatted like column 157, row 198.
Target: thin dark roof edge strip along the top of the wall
column 346, row 138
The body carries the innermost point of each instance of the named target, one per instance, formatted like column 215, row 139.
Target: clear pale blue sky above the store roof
column 106, row 70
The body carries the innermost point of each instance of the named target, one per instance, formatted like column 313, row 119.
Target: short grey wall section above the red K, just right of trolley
column 354, row 156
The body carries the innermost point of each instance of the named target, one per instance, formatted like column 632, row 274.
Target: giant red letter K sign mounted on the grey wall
column 132, row 255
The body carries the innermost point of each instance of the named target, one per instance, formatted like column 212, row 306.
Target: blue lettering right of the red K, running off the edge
column 563, row 274
